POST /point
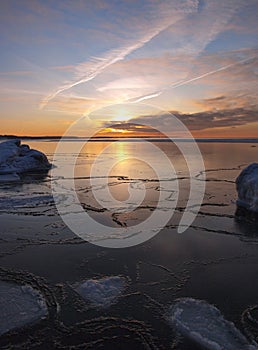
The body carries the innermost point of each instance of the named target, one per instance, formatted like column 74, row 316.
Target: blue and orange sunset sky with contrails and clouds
column 124, row 62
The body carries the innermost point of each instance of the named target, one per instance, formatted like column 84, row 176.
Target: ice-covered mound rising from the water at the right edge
column 247, row 188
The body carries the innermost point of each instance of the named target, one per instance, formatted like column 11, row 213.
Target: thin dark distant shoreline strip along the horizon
column 131, row 139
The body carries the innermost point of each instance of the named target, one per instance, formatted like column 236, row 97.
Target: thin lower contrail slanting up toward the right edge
column 185, row 82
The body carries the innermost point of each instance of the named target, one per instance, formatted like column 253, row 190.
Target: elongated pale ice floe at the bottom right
column 204, row 324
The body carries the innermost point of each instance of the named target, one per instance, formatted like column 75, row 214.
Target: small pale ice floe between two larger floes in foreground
column 102, row 292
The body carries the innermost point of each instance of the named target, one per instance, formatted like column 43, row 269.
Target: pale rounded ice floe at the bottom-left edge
column 19, row 305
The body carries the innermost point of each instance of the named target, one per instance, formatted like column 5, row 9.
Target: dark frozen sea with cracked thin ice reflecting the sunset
column 108, row 298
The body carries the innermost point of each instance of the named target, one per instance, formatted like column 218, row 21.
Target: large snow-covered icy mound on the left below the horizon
column 17, row 159
